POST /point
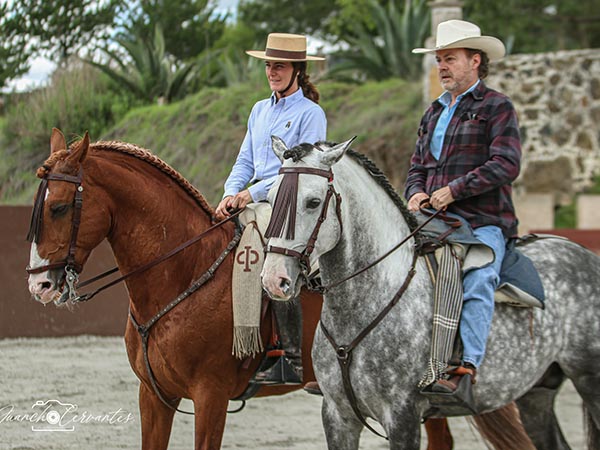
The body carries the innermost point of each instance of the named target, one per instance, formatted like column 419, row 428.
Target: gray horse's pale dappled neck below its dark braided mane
column 372, row 225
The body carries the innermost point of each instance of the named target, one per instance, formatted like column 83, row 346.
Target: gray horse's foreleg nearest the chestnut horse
column 341, row 431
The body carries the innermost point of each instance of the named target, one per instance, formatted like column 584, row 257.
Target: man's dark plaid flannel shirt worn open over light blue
column 480, row 158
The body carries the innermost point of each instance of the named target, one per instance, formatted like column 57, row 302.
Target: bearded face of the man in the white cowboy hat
column 457, row 71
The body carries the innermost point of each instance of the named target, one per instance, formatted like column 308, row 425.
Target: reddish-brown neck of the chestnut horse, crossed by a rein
column 151, row 215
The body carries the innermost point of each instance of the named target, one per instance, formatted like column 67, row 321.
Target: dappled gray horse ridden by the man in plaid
column 385, row 367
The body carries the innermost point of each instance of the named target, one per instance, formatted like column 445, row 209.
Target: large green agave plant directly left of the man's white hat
column 385, row 50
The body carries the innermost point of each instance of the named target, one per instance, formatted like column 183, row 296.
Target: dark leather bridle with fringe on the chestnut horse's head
column 70, row 266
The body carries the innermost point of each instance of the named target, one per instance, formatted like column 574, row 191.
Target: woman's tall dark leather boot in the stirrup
column 289, row 323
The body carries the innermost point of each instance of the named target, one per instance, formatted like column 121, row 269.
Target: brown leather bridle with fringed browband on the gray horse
column 285, row 200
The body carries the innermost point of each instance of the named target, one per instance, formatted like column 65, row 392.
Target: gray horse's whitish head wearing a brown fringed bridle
column 305, row 206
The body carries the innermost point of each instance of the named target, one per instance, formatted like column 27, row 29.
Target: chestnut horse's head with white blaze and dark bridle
column 62, row 233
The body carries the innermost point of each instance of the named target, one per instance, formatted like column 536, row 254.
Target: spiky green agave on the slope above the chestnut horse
column 142, row 66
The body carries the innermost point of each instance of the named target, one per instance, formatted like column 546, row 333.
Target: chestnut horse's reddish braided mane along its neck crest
column 138, row 153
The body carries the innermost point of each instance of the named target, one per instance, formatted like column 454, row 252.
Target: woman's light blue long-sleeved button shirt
column 295, row 119
